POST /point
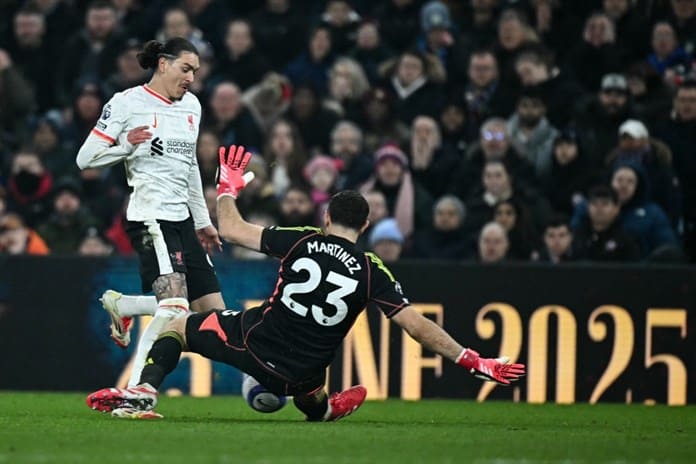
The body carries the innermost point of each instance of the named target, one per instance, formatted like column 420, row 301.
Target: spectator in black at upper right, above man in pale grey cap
column 597, row 54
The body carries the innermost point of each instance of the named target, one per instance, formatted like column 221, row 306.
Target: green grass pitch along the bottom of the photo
column 59, row 428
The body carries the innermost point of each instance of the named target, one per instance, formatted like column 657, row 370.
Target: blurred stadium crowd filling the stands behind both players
column 487, row 130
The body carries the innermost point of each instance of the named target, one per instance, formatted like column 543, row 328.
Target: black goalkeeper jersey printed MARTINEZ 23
column 324, row 283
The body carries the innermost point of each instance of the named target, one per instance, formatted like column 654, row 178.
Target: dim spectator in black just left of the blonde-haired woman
column 314, row 121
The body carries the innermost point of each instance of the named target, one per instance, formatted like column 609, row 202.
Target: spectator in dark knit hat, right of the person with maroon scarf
column 69, row 220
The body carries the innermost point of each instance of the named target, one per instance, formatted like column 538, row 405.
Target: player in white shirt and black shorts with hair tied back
column 153, row 129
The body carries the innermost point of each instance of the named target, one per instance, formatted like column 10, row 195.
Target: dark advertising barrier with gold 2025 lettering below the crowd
column 587, row 333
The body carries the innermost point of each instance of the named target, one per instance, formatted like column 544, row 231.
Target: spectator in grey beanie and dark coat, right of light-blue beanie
column 446, row 238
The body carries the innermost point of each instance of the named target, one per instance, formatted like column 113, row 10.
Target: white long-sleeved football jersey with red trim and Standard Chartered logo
column 163, row 171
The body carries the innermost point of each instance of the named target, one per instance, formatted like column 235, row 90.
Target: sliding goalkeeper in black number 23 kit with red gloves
column 323, row 285
